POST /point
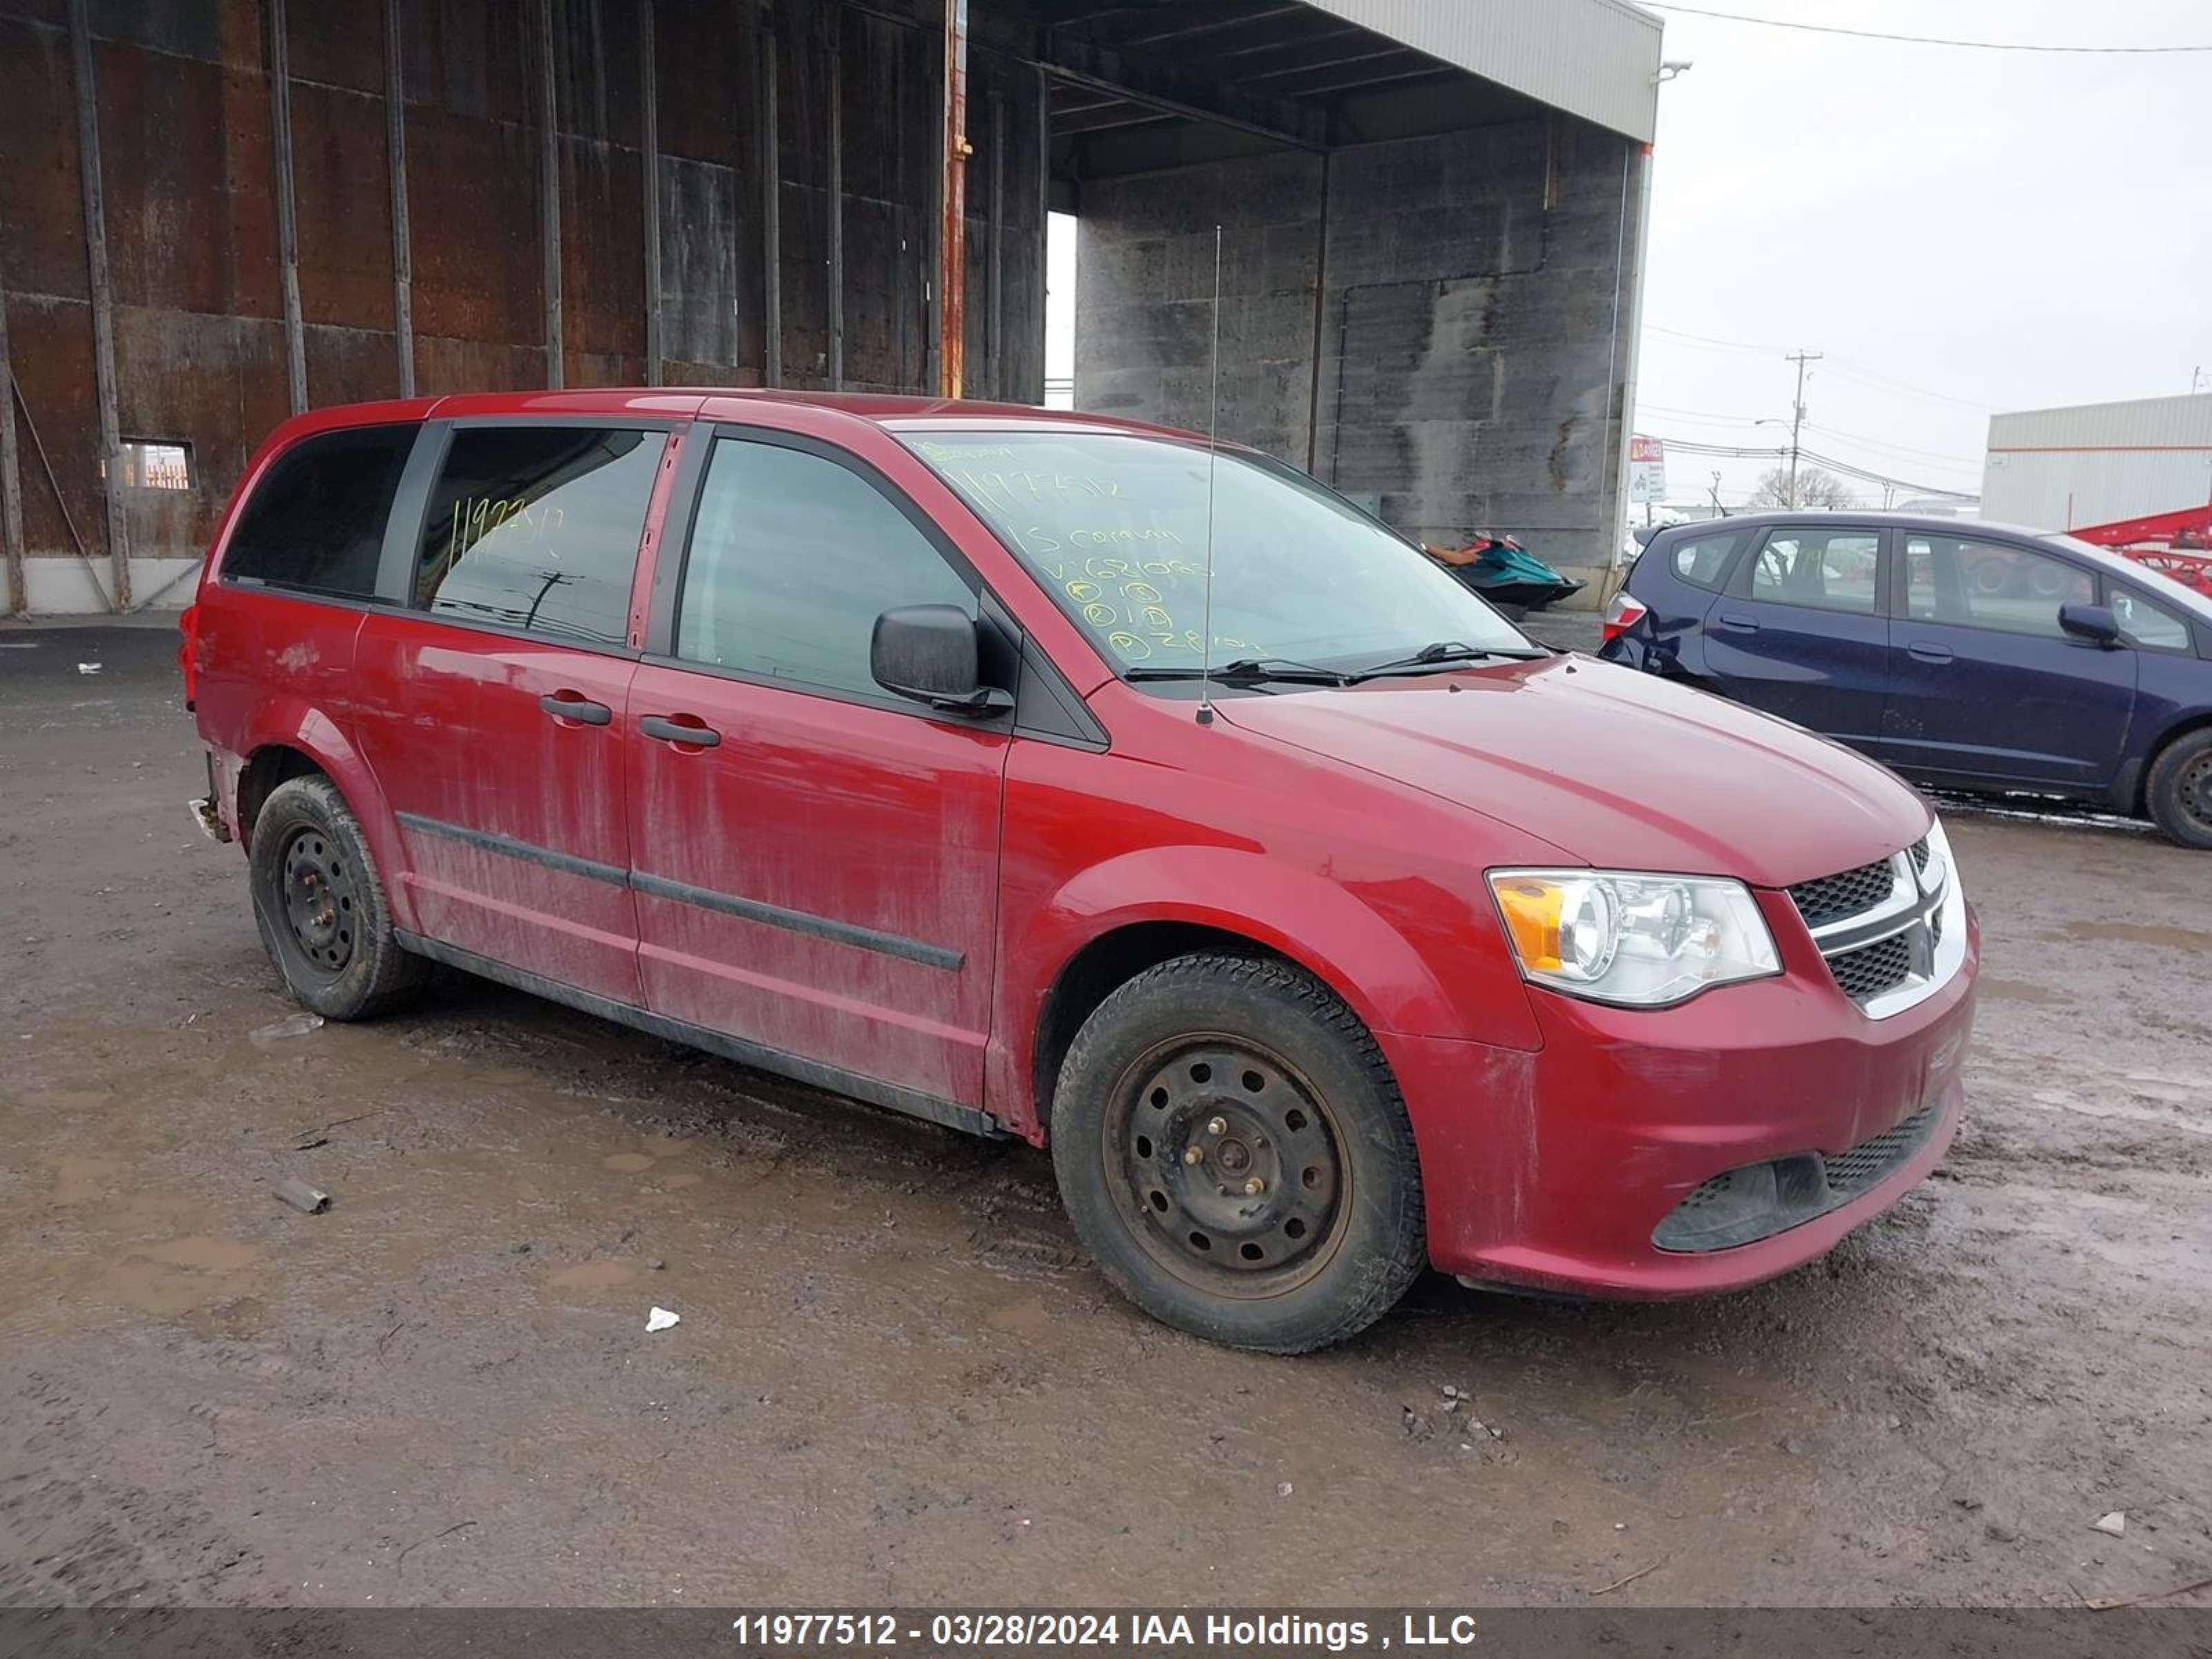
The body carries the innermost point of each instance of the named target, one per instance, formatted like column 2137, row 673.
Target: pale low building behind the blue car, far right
column 2098, row 463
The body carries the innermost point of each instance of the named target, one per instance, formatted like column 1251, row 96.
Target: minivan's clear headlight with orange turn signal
column 1640, row 941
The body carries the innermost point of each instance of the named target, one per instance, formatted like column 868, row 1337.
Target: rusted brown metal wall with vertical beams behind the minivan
column 191, row 180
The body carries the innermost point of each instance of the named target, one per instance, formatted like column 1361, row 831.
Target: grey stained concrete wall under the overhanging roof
column 1437, row 324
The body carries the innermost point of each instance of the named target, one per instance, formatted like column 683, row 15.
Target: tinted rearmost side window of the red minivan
column 317, row 519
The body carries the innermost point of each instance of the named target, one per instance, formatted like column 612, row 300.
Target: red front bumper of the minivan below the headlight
column 1554, row 1169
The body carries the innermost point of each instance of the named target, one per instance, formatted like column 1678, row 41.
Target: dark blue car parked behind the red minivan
column 1965, row 656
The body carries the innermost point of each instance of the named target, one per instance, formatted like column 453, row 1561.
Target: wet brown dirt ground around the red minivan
column 899, row 1381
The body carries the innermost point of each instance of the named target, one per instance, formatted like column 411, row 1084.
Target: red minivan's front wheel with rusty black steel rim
column 1235, row 1156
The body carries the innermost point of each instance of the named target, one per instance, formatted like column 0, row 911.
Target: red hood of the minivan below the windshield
column 1614, row 766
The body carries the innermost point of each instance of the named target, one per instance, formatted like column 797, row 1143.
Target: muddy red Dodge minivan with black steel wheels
column 1058, row 778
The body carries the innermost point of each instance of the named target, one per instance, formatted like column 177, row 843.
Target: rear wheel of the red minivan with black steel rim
column 322, row 906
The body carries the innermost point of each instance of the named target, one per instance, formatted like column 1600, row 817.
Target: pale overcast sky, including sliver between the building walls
column 1959, row 231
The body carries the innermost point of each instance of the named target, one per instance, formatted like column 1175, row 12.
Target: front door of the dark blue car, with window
column 1985, row 689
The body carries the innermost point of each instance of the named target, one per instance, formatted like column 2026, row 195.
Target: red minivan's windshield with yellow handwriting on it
column 1116, row 530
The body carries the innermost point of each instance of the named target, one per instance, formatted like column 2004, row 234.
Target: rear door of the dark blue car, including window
column 1802, row 632
